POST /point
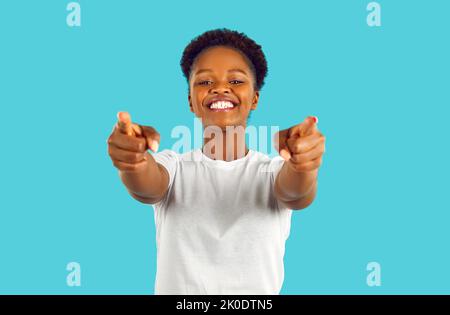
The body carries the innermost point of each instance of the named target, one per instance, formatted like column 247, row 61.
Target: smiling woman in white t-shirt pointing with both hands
column 222, row 212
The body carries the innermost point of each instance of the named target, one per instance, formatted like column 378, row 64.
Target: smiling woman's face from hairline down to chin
column 222, row 72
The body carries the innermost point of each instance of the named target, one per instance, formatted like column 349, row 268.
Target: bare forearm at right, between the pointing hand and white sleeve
column 296, row 190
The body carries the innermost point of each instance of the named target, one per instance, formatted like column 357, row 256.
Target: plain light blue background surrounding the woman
column 381, row 95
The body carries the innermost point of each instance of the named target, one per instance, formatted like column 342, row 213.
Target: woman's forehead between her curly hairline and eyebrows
column 220, row 58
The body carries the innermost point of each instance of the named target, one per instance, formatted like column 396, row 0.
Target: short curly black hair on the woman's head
column 225, row 37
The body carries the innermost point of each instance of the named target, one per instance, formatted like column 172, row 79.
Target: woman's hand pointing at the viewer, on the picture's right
column 302, row 145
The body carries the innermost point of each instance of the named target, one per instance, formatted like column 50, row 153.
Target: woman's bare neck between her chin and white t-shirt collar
column 227, row 144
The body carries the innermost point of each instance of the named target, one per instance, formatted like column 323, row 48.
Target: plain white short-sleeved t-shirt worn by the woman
column 219, row 229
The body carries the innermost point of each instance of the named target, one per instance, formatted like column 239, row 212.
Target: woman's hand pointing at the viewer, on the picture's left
column 128, row 144
